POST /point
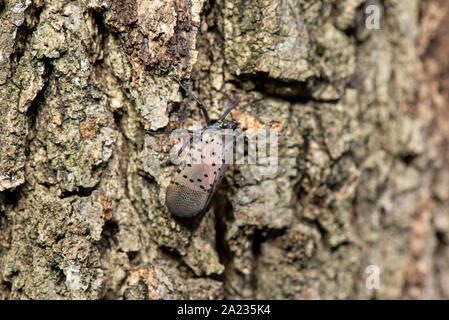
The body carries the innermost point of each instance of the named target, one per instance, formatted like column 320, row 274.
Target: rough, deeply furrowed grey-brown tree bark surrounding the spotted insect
column 363, row 173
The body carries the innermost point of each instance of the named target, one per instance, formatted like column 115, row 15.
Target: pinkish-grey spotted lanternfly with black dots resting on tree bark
column 194, row 182
